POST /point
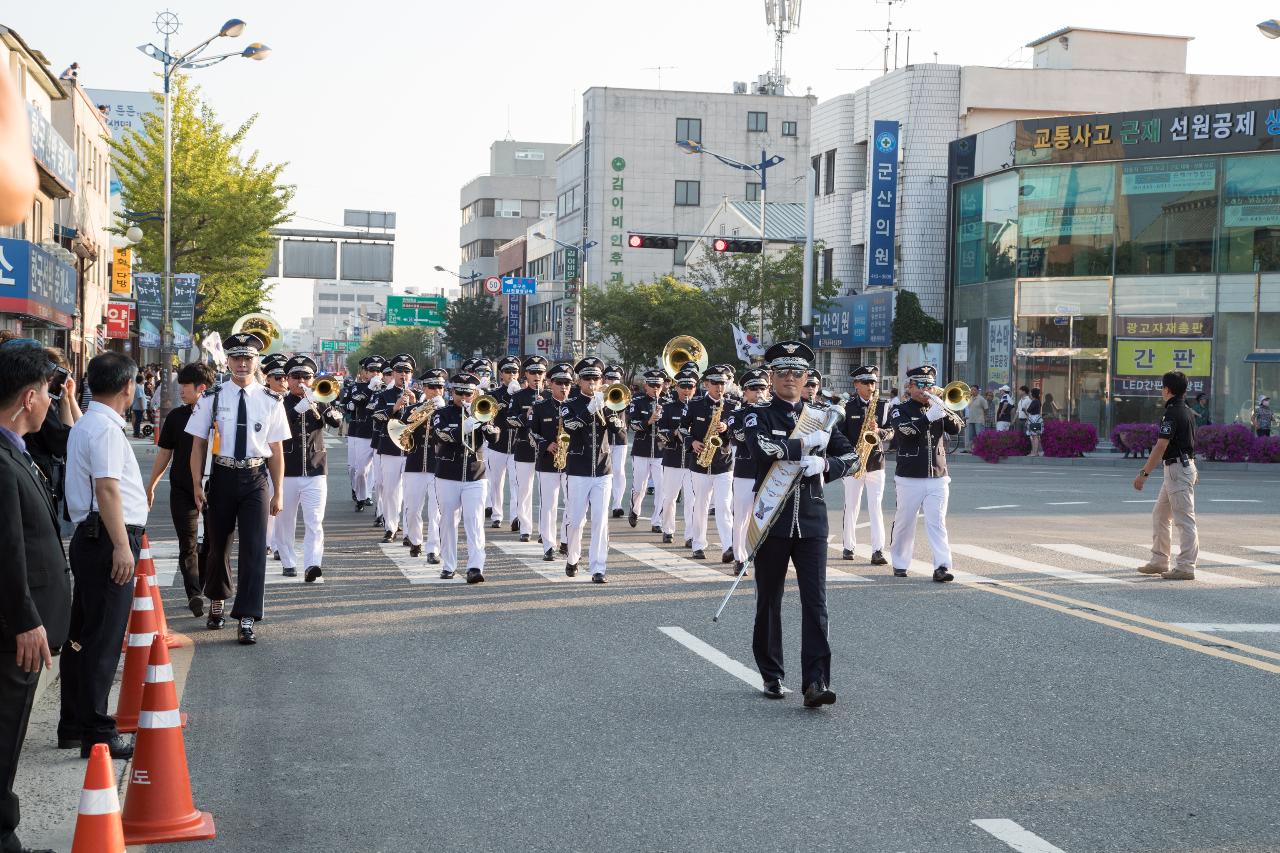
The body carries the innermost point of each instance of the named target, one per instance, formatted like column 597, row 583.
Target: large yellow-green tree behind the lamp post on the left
column 225, row 204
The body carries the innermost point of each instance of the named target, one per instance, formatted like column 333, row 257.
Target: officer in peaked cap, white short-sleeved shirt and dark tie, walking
column 245, row 483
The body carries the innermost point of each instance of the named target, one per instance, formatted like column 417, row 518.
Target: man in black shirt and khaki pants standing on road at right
column 1177, row 503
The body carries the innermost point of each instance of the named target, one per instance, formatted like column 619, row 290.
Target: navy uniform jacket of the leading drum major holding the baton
column 767, row 431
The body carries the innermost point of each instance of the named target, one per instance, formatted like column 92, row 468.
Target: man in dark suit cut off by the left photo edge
column 35, row 591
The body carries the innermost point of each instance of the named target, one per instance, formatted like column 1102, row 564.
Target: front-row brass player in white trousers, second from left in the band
column 460, row 482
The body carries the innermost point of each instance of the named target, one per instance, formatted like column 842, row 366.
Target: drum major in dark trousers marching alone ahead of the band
column 799, row 536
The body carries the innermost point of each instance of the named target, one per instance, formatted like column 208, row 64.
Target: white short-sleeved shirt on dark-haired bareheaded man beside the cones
column 97, row 449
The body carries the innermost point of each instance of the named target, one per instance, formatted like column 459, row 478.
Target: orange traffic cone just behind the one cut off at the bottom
column 158, row 806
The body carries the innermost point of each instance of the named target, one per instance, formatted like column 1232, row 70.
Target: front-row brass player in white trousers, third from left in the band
column 591, row 427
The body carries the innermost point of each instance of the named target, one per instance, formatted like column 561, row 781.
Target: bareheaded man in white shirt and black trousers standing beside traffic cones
column 108, row 504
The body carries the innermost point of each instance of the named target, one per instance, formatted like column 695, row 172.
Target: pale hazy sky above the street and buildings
column 394, row 106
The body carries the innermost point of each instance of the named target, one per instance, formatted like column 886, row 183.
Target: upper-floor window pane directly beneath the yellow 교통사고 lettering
column 1067, row 221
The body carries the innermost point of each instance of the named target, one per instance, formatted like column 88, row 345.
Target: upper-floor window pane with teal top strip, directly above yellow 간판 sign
column 1168, row 217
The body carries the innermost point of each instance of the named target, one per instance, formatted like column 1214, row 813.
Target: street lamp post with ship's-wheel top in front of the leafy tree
column 167, row 25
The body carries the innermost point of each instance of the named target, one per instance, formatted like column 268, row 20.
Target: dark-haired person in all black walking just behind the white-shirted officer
column 175, row 444
